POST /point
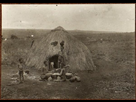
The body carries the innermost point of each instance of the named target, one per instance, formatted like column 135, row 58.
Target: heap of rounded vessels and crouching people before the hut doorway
column 59, row 75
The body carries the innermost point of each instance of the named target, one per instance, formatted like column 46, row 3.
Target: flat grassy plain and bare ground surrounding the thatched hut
column 113, row 54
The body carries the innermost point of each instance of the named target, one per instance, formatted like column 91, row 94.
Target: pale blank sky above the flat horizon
column 96, row 17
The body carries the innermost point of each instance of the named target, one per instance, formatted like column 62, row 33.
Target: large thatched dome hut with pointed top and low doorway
column 76, row 54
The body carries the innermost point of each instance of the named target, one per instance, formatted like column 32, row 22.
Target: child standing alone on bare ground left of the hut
column 21, row 67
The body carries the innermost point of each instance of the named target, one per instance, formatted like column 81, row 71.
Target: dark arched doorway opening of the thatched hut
column 53, row 59
